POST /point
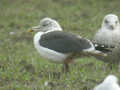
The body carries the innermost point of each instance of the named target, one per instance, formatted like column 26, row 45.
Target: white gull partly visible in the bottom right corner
column 110, row 83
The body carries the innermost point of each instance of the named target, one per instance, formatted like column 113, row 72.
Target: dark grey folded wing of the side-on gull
column 63, row 42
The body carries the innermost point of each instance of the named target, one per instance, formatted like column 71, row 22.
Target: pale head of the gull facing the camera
column 110, row 22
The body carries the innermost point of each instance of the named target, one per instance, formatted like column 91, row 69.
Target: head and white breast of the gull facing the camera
column 109, row 33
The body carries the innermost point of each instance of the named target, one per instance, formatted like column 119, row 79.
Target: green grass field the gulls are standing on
column 22, row 68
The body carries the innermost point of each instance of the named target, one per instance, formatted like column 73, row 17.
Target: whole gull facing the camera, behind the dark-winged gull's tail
column 107, row 39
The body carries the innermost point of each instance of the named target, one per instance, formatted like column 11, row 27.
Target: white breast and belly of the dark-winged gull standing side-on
column 47, row 53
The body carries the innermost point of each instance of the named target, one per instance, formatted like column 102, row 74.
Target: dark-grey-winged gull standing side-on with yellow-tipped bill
column 58, row 46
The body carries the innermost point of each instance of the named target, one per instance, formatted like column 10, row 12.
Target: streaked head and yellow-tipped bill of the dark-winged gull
column 46, row 24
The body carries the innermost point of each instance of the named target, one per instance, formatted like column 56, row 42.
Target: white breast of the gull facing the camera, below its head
column 110, row 38
